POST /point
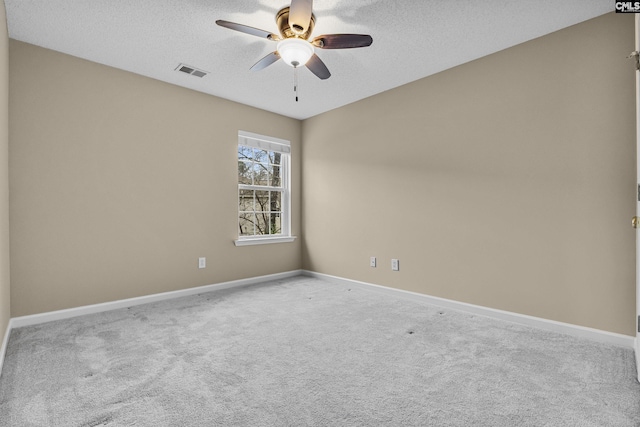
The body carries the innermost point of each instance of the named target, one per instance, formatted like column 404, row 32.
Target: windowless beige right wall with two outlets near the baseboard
column 508, row 182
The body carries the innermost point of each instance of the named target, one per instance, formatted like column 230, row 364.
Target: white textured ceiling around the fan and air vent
column 411, row 39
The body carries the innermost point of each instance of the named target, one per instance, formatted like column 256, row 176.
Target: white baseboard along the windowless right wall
column 522, row 319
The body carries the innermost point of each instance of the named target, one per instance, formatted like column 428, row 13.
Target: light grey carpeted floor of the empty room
column 301, row 352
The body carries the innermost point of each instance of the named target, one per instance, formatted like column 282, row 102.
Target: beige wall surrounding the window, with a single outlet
column 119, row 183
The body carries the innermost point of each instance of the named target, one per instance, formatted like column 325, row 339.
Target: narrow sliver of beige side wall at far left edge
column 5, row 311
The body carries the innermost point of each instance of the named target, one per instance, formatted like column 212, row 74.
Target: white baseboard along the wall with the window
column 18, row 322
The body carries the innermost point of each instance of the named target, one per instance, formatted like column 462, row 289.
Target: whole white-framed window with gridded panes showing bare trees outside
column 263, row 190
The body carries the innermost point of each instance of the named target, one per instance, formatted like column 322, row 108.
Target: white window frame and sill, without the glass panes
column 282, row 146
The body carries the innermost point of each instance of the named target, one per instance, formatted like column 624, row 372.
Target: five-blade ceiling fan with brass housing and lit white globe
column 295, row 24
